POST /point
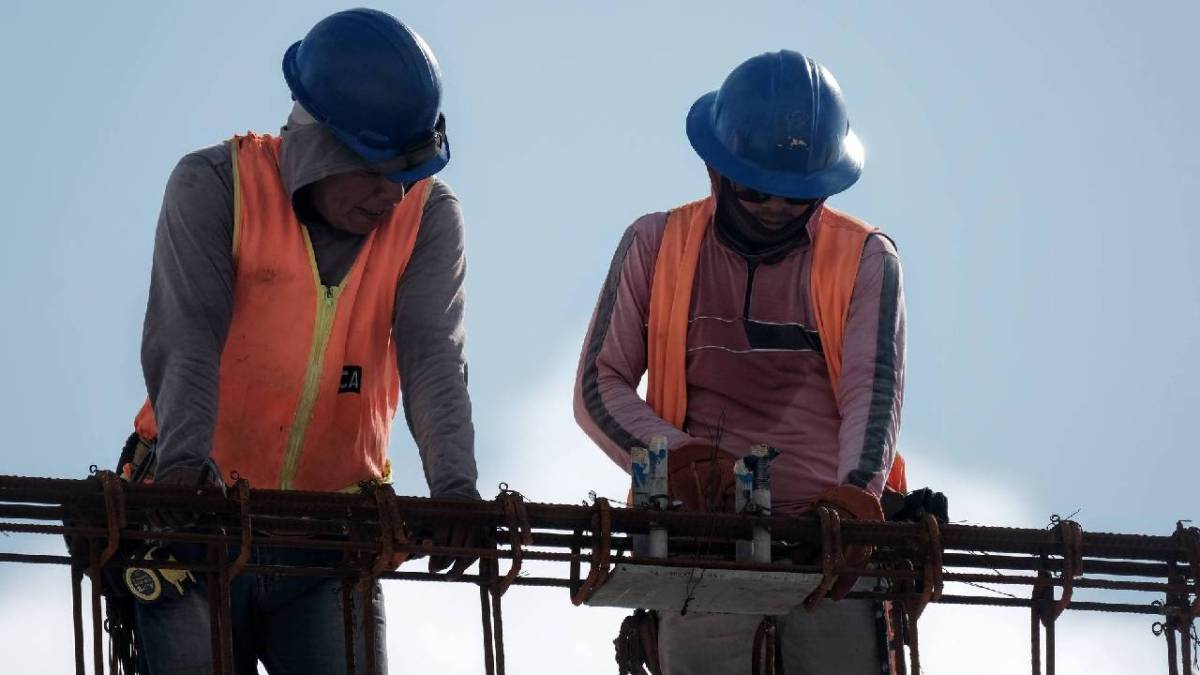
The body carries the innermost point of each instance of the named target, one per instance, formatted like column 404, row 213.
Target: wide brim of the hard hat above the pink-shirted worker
column 801, row 186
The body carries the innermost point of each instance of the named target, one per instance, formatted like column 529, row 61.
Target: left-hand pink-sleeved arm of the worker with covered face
column 608, row 405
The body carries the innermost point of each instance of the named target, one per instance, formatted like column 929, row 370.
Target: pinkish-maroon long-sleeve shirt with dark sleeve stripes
column 755, row 371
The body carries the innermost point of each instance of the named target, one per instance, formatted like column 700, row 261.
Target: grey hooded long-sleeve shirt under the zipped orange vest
column 191, row 307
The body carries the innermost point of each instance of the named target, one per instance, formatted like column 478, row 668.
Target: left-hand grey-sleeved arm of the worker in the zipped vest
column 190, row 309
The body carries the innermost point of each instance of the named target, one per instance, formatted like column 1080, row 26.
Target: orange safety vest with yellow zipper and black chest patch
column 308, row 385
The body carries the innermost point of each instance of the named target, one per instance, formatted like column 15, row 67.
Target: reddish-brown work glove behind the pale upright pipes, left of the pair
column 701, row 476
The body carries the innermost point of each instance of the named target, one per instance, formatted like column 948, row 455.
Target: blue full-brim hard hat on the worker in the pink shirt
column 778, row 124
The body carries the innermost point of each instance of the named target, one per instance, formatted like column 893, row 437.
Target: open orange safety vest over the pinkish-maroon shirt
column 838, row 249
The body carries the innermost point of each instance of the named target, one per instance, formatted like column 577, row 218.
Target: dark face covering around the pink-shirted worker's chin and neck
column 748, row 236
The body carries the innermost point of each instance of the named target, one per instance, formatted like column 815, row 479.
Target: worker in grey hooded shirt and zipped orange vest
column 297, row 283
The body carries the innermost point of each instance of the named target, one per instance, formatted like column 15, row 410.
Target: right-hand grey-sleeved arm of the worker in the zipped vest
column 429, row 334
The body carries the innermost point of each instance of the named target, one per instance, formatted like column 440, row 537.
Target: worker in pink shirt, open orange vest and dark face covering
column 764, row 316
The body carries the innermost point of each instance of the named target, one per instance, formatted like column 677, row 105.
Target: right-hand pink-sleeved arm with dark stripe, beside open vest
column 872, row 385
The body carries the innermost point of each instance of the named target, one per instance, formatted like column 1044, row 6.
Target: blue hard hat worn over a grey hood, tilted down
column 376, row 86
